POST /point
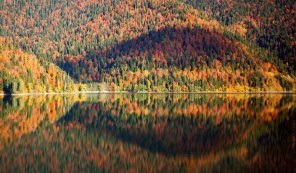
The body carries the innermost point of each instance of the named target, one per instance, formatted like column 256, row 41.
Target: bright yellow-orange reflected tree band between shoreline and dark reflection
column 214, row 105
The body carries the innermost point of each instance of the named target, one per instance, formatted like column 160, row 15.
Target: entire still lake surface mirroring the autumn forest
column 148, row 133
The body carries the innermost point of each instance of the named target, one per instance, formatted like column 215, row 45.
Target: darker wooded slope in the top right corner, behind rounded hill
column 270, row 24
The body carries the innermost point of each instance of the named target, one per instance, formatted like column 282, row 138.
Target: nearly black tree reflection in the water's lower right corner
column 274, row 143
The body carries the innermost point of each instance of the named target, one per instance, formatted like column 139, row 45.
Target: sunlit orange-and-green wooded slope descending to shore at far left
column 22, row 72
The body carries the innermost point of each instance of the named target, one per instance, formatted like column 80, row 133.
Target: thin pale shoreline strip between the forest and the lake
column 127, row 92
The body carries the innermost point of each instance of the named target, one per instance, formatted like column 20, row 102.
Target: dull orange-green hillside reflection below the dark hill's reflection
column 72, row 150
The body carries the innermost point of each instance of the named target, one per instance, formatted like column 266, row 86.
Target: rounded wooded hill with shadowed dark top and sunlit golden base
column 179, row 60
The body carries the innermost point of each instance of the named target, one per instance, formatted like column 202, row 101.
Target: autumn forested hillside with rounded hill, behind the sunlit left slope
column 154, row 45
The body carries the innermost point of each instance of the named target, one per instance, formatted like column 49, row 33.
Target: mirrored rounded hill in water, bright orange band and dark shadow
column 183, row 127
